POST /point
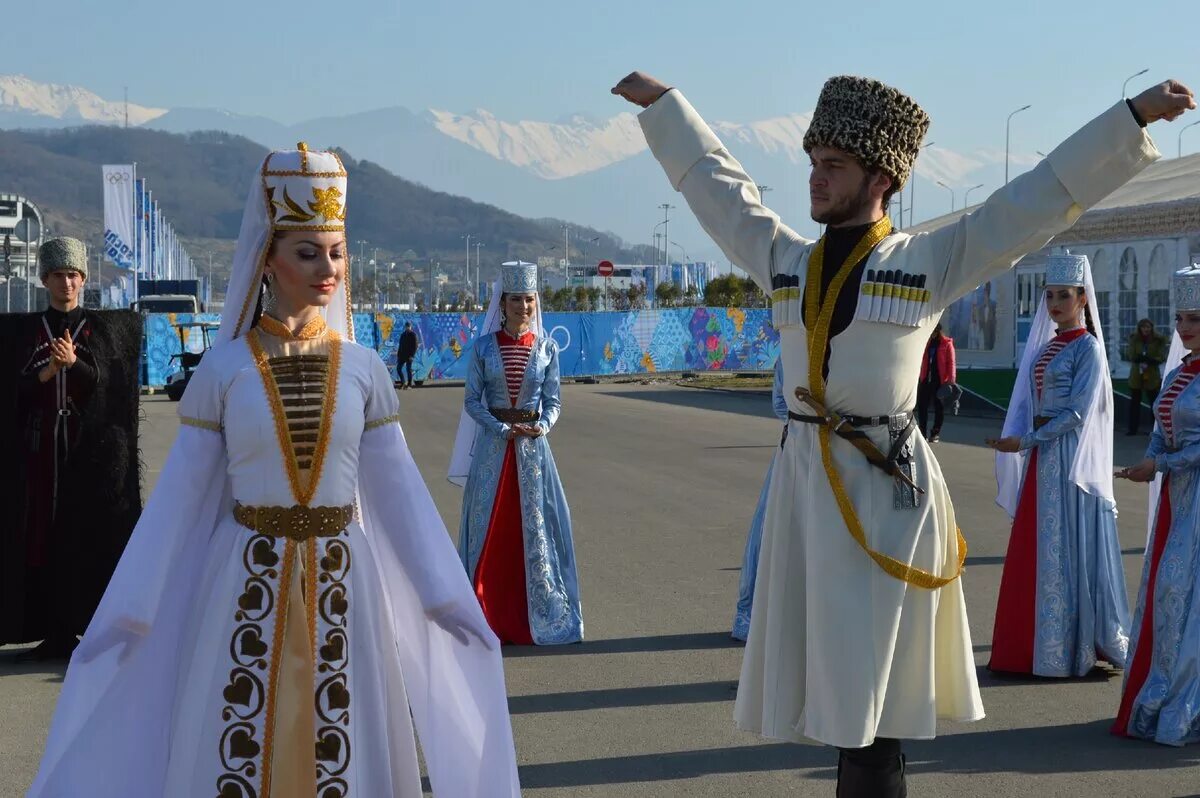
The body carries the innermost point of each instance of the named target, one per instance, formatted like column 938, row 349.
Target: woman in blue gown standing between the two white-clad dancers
column 515, row 536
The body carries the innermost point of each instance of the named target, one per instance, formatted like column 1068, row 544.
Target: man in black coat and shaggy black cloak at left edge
column 69, row 415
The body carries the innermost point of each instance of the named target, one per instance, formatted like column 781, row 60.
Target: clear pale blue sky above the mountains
column 969, row 64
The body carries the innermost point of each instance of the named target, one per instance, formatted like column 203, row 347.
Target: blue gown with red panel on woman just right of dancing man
column 1063, row 596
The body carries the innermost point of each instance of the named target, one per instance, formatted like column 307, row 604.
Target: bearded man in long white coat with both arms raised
column 860, row 634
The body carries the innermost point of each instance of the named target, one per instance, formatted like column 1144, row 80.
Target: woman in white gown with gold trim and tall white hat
column 290, row 604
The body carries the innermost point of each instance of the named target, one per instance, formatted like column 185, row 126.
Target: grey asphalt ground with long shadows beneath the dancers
column 663, row 483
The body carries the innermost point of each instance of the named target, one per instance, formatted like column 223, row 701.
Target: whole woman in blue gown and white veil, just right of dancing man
column 1063, row 595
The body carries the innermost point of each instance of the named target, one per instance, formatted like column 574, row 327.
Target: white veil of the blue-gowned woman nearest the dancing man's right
column 1093, row 470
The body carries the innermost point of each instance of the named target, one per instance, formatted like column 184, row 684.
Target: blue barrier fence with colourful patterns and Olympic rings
column 634, row 343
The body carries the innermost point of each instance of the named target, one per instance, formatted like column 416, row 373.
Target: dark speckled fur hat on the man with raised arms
column 873, row 122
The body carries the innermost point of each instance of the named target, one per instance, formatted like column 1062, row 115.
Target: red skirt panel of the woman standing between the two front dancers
column 500, row 575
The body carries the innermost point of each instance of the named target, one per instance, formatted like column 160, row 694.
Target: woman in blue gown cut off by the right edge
column 1161, row 700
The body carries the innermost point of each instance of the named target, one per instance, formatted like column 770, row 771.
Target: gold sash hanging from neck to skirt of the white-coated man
column 820, row 314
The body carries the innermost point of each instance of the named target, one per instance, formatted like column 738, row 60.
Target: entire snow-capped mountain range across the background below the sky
column 579, row 169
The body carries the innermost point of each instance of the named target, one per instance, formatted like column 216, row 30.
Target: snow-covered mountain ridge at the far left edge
column 26, row 103
